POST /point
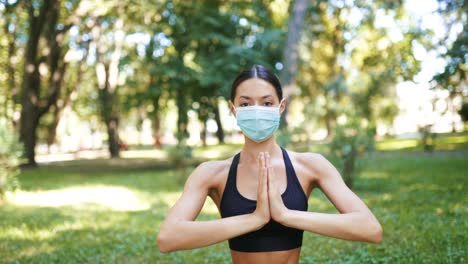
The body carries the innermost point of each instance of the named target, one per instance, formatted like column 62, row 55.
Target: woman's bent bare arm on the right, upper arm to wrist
column 355, row 221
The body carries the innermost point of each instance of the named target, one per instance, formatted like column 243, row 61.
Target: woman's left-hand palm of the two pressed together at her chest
column 263, row 209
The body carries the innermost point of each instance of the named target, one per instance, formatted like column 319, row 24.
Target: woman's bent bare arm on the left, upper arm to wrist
column 180, row 230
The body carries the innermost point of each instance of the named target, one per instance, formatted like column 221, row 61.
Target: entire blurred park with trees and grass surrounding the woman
column 107, row 106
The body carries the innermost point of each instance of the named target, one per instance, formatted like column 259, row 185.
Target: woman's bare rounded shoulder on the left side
column 208, row 173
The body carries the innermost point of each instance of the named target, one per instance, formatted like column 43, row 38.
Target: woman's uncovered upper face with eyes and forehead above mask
column 258, row 92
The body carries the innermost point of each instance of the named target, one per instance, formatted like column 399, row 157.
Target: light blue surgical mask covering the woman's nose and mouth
column 258, row 122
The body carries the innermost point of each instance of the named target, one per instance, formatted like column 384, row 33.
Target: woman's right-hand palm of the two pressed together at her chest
column 277, row 207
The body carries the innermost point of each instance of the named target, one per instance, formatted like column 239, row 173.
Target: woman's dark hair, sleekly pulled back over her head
column 260, row 72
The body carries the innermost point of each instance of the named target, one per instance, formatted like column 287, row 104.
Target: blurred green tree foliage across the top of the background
column 188, row 53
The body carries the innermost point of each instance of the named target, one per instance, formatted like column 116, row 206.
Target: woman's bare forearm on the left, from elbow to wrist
column 181, row 234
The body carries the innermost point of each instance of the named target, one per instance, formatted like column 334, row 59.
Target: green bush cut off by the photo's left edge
column 10, row 157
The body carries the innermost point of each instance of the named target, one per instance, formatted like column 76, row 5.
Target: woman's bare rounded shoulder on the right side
column 314, row 165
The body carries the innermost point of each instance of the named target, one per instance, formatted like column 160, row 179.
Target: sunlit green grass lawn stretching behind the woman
column 103, row 211
